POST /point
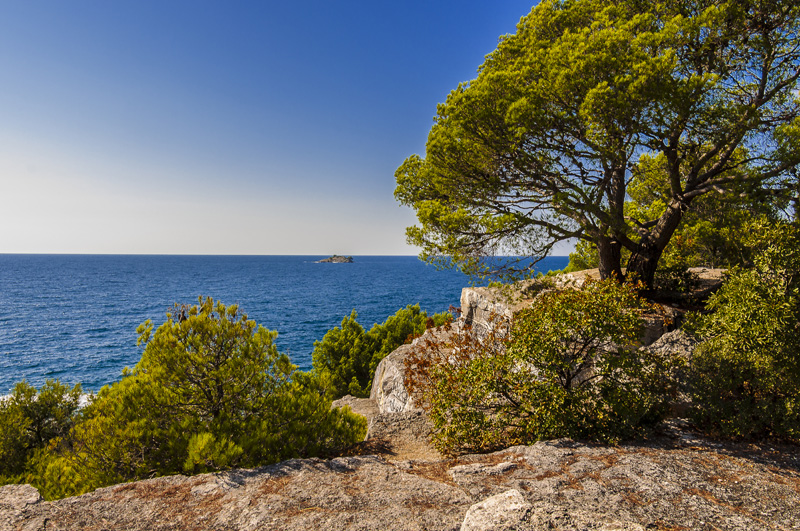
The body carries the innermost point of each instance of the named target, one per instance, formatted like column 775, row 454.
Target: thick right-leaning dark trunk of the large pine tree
column 643, row 262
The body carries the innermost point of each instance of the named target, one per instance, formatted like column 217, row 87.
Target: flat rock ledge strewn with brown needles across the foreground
column 679, row 483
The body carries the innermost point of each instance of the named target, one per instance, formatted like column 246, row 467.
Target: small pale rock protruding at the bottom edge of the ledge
column 502, row 512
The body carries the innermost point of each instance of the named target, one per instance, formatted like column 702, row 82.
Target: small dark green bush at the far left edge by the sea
column 31, row 419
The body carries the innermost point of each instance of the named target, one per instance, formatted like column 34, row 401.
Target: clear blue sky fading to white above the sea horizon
column 225, row 127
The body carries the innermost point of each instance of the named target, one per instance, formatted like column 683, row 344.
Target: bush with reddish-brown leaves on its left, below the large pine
column 565, row 368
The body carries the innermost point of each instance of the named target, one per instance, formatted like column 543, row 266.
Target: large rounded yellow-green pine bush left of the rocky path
column 210, row 392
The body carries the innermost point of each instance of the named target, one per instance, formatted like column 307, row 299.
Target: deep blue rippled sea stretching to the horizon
column 74, row 317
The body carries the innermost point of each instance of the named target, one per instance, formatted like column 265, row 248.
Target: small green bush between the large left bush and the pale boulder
column 347, row 356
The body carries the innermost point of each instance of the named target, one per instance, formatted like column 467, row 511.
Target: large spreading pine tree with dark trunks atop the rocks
column 541, row 147
